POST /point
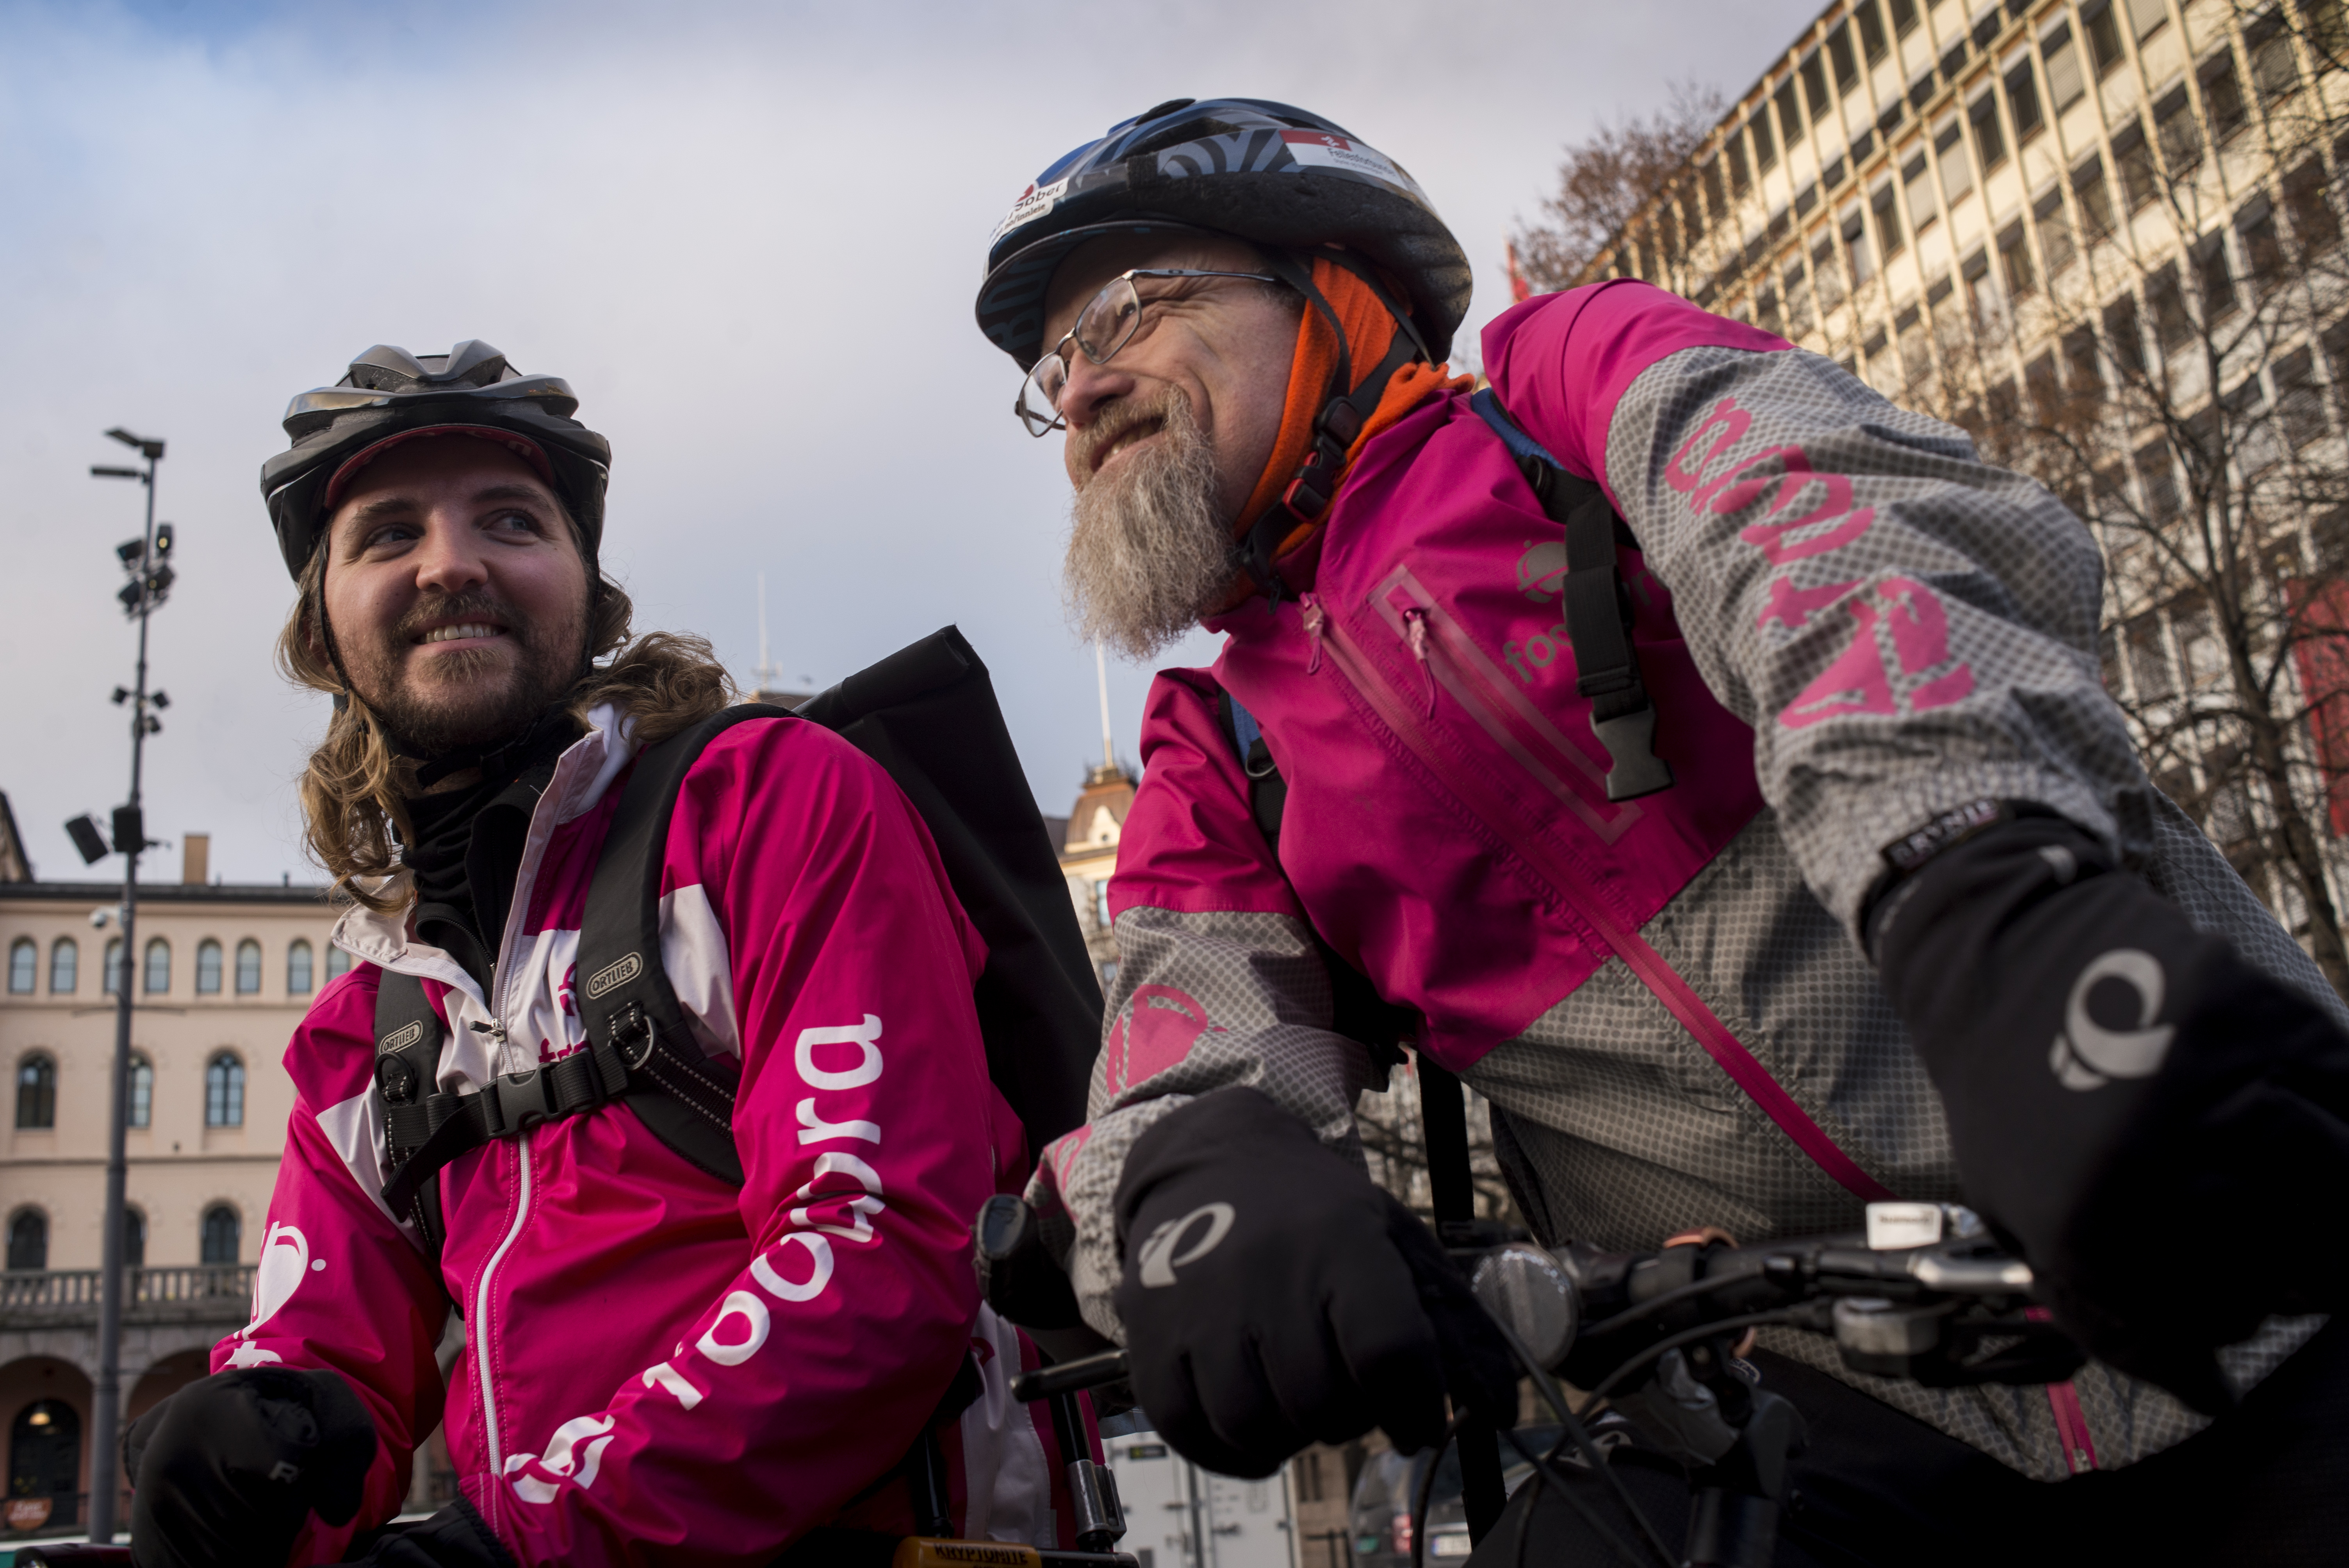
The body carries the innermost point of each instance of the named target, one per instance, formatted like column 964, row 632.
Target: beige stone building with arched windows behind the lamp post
column 222, row 978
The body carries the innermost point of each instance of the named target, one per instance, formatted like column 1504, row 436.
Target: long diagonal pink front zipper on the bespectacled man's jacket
column 1598, row 921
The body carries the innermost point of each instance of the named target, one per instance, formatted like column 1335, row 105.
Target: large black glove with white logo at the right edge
column 2148, row 1118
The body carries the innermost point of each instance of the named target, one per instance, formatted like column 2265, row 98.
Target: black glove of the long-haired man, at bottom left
column 227, row 1471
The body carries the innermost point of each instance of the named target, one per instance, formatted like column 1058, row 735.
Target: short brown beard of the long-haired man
column 473, row 698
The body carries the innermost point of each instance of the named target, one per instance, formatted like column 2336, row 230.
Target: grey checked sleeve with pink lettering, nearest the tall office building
column 1904, row 626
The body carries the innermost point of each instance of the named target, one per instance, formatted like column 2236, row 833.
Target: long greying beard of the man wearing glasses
column 1150, row 553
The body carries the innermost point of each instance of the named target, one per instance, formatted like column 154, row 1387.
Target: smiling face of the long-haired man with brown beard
column 455, row 593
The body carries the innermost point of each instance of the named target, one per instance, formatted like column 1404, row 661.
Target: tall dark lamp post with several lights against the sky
column 149, row 583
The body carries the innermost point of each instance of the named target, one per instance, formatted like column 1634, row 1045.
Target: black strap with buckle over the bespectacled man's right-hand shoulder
column 1598, row 609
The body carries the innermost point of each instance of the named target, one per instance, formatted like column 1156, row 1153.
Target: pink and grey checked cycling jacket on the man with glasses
column 1847, row 623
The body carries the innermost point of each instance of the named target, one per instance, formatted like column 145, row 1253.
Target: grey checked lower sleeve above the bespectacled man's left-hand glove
column 1204, row 1001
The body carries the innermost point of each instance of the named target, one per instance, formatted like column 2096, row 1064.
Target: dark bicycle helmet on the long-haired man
column 391, row 396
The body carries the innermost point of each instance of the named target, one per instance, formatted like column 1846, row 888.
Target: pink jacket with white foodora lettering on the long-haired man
column 661, row 1367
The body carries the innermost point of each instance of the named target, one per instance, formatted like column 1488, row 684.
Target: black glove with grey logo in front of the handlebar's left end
column 1274, row 1297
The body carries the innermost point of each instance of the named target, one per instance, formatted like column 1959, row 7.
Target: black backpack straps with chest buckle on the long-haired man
column 640, row 1046
